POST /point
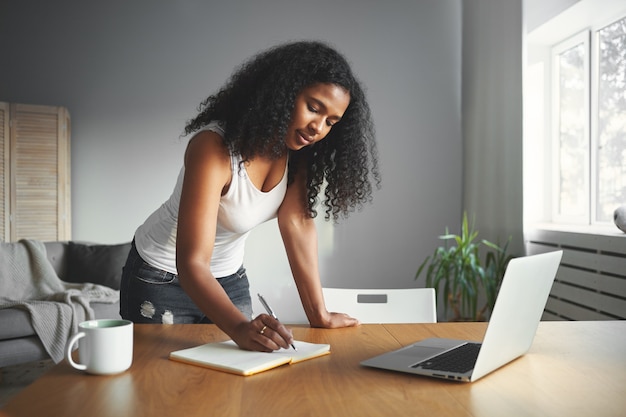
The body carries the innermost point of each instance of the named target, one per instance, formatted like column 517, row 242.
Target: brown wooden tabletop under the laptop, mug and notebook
column 558, row 377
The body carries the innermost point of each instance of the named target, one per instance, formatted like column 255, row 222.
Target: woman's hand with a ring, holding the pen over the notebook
column 263, row 334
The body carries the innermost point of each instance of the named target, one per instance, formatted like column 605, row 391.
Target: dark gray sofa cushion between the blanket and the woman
column 98, row 264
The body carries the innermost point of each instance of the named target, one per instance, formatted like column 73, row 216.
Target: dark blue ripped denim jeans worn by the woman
column 151, row 295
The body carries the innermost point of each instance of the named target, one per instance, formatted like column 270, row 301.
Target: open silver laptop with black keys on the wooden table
column 510, row 332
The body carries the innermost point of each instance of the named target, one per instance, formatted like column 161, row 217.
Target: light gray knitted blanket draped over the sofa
column 28, row 281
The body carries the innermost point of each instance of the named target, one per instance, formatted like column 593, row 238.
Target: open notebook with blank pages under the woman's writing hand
column 228, row 357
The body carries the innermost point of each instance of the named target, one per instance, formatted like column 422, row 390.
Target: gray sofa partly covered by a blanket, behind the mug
column 73, row 262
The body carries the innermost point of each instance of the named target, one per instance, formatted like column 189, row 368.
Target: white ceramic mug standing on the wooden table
column 105, row 347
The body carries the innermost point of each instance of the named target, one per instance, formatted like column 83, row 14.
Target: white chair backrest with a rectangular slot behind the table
column 410, row 305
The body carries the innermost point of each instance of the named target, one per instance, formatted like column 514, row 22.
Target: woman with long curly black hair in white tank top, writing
column 289, row 121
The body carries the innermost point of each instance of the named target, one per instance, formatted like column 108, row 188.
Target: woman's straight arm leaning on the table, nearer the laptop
column 299, row 235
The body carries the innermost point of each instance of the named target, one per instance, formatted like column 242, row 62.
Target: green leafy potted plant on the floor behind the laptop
column 457, row 270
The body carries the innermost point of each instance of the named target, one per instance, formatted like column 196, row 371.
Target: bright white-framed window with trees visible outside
column 586, row 88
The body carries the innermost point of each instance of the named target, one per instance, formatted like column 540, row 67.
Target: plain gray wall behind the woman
column 132, row 73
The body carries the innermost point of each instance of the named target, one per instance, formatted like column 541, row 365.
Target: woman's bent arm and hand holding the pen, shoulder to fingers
column 207, row 176
